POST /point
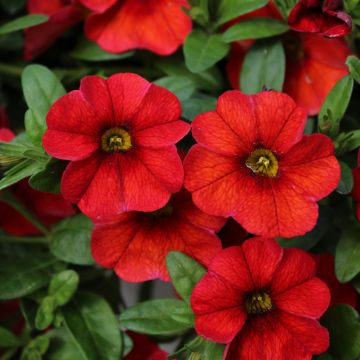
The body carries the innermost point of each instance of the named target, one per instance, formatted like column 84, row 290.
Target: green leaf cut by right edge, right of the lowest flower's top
column 347, row 256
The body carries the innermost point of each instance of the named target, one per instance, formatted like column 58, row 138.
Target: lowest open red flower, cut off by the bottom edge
column 263, row 302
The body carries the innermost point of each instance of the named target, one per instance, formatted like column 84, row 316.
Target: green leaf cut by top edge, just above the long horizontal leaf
column 230, row 9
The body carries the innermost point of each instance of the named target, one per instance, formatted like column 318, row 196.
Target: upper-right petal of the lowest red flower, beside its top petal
column 295, row 268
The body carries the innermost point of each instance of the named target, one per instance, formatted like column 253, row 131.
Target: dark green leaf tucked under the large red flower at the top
column 89, row 51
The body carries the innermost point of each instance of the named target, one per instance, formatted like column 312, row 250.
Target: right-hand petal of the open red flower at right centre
column 311, row 167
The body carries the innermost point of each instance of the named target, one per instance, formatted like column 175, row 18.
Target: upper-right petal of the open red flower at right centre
column 280, row 122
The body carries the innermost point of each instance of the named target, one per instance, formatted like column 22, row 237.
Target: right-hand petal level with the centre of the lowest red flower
column 309, row 299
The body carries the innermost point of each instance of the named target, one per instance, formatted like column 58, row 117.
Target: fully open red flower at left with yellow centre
column 119, row 135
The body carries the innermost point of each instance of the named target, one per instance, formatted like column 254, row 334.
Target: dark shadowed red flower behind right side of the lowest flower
column 340, row 293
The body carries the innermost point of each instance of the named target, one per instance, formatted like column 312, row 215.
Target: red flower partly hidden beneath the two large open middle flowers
column 135, row 244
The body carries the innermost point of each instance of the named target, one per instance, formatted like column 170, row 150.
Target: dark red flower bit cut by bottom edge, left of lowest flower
column 144, row 349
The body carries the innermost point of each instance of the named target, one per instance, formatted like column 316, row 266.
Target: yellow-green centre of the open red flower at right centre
column 263, row 162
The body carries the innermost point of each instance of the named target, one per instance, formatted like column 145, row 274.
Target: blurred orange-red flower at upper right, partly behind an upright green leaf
column 308, row 58
